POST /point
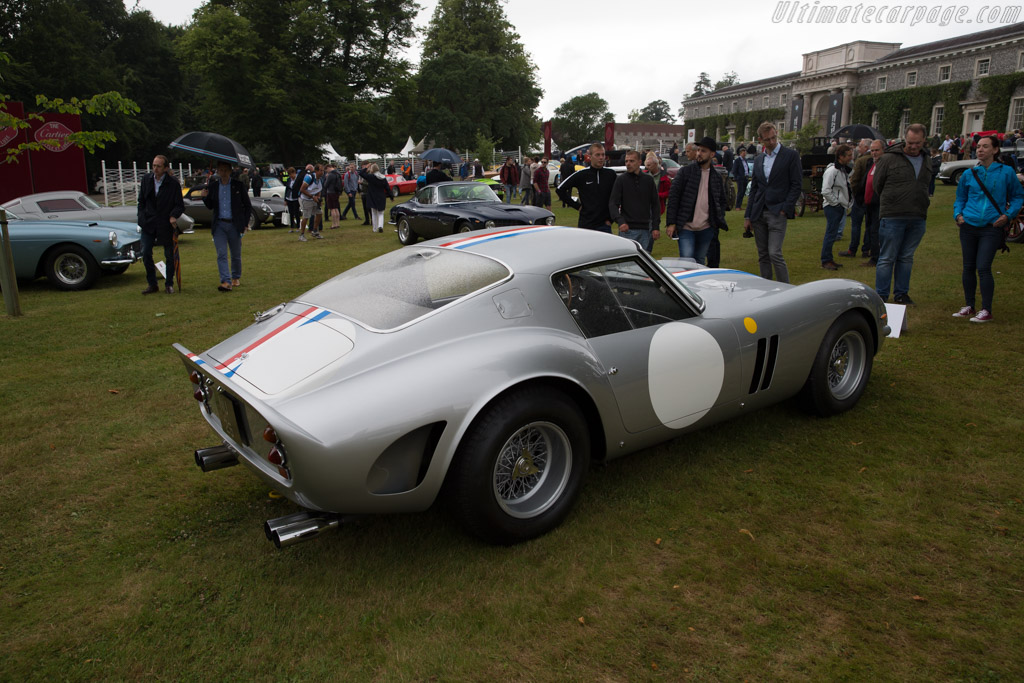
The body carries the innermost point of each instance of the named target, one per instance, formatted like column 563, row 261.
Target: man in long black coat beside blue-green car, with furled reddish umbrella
column 159, row 207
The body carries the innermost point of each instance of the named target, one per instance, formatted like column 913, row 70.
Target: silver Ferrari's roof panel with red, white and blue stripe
column 542, row 249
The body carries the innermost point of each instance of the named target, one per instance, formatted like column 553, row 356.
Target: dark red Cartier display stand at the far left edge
column 61, row 166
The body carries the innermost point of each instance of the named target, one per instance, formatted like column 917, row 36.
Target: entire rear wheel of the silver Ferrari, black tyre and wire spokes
column 521, row 468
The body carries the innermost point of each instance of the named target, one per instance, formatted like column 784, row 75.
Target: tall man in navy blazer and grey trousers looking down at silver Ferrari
column 776, row 186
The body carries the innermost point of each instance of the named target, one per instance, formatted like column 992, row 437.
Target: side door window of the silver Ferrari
column 615, row 297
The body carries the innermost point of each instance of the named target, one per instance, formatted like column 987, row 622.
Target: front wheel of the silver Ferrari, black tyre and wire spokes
column 842, row 368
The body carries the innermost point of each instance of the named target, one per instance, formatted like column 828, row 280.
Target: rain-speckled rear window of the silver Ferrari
column 396, row 289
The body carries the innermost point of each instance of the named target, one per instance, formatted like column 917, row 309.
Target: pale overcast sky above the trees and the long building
column 637, row 52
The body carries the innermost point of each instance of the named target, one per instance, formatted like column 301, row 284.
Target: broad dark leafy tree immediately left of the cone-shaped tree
column 252, row 62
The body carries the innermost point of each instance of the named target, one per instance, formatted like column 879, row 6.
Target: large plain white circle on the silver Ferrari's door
column 686, row 372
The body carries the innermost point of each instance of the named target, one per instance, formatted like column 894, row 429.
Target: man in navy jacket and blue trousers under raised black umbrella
column 229, row 199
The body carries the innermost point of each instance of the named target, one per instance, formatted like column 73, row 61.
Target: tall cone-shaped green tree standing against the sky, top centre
column 476, row 78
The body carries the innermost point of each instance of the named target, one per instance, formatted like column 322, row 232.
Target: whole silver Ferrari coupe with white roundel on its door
column 493, row 369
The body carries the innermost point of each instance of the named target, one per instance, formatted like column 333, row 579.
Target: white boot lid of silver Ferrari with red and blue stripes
column 285, row 349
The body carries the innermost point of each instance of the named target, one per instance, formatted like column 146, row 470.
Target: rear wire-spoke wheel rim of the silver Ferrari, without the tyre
column 532, row 469
